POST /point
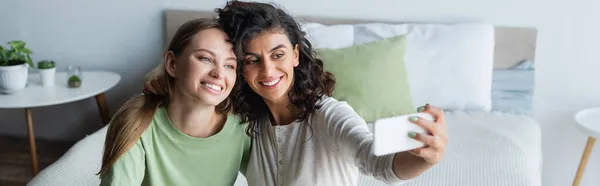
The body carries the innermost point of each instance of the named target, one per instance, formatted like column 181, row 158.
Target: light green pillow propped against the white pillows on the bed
column 371, row 77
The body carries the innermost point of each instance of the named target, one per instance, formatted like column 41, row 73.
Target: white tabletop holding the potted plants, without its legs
column 34, row 95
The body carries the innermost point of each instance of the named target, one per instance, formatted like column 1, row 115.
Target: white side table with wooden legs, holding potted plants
column 94, row 84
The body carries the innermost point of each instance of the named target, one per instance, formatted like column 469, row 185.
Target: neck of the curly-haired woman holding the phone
column 282, row 112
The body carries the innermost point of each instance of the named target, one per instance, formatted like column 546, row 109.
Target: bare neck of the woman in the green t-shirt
column 193, row 118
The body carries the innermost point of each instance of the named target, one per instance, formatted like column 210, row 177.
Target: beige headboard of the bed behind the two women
column 513, row 44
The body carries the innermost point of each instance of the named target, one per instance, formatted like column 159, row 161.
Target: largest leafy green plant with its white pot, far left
column 14, row 66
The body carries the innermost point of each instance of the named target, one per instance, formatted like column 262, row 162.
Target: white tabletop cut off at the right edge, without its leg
column 588, row 121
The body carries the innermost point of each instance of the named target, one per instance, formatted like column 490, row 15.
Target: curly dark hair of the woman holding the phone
column 242, row 21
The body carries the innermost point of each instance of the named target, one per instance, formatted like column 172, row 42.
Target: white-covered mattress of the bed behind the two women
column 490, row 149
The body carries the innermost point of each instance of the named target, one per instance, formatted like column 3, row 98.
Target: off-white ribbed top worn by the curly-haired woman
column 330, row 148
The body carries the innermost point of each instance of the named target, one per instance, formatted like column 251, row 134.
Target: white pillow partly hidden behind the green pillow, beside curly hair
column 329, row 36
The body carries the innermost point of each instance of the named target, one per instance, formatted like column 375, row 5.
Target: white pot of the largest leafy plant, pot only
column 13, row 78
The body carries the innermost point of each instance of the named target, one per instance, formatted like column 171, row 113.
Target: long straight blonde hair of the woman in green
column 134, row 117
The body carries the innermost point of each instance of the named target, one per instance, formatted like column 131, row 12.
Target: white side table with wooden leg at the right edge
column 588, row 122
